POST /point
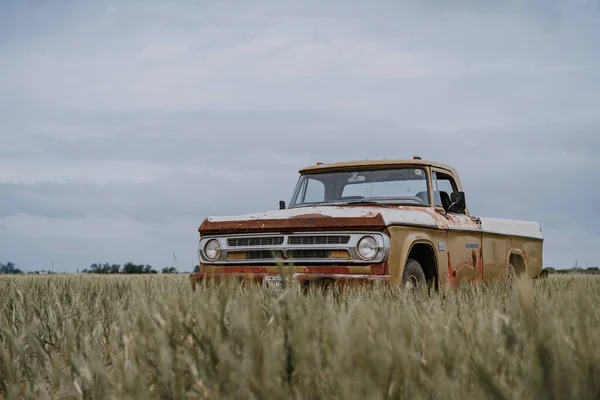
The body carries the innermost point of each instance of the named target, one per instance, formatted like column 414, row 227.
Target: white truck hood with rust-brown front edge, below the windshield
column 319, row 219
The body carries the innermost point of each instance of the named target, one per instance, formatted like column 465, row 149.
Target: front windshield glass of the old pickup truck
column 406, row 186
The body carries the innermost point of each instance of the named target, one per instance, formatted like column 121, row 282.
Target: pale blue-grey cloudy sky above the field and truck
column 123, row 124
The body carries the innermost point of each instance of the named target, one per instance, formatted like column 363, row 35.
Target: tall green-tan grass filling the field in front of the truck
column 152, row 337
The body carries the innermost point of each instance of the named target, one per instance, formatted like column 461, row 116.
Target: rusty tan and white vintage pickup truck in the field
column 403, row 222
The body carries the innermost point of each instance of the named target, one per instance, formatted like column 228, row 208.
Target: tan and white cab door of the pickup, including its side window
column 464, row 237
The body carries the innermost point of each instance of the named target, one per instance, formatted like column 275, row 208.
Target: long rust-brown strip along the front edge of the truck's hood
column 312, row 222
